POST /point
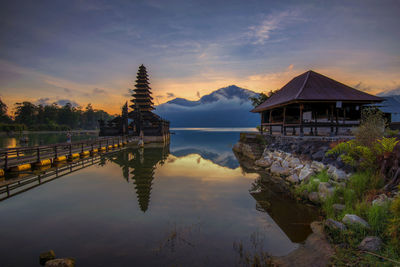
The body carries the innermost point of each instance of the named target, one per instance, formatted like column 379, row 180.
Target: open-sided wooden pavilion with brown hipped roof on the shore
column 315, row 104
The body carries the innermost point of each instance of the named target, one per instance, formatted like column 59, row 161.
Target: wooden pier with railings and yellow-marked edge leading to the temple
column 23, row 158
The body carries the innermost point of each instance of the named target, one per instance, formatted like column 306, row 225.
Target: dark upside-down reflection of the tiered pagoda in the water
column 139, row 165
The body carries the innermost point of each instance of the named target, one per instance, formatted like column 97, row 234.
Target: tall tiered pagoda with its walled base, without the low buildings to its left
column 145, row 122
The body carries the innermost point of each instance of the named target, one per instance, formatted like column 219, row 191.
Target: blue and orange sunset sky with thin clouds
column 89, row 51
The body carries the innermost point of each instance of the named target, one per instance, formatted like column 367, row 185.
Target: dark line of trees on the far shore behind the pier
column 28, row 116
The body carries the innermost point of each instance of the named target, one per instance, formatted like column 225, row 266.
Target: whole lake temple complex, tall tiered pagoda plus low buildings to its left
column 141, row 121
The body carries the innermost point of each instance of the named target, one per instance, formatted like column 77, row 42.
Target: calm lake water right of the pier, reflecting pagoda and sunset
column 182, row 205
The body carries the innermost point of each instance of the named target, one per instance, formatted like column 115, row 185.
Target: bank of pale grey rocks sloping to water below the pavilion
column 295, row 168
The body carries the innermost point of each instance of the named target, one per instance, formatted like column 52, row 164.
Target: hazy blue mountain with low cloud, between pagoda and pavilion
column 226, row 107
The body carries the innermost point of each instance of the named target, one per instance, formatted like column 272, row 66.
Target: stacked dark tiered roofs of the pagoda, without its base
column 142, row 99
